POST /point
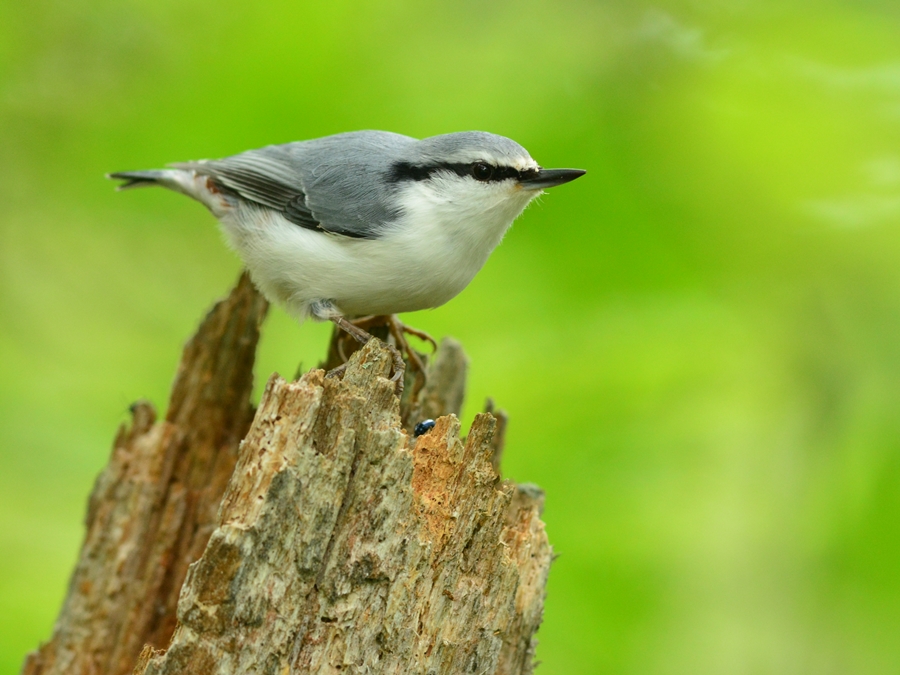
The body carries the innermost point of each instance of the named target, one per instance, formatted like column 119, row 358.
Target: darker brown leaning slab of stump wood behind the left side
column 153, row 508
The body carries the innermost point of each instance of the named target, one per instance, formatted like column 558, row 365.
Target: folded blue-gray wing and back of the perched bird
column 334, row 184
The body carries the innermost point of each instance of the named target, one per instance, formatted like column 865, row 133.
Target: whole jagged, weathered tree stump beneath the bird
column 328, row 540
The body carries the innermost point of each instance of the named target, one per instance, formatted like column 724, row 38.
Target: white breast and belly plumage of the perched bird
column 445, row 235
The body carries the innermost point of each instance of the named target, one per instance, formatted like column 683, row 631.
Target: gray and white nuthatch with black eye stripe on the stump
column 363, row 223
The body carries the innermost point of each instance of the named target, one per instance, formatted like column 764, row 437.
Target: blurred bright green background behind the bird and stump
column 697, row 343
